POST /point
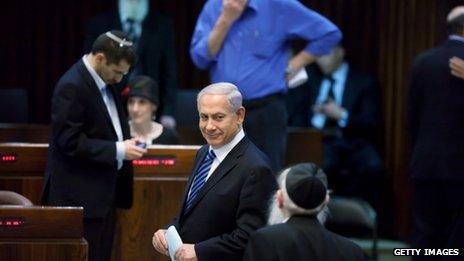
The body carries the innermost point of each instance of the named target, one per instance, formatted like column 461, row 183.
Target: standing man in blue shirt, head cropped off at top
column 247, row 42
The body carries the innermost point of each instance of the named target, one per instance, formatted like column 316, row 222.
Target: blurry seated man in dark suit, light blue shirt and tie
column 345, row 106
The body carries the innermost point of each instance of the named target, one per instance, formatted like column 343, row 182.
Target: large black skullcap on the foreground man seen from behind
column 306, row 185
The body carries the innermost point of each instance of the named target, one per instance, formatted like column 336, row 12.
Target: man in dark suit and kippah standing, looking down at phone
column 88, row 163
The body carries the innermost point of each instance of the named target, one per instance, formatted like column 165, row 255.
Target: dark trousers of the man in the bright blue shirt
column 266, row 125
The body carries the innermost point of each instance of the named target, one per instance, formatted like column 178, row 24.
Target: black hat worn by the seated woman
column 144, row 86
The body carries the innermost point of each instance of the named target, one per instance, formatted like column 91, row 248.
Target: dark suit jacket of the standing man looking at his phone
column 81, row 166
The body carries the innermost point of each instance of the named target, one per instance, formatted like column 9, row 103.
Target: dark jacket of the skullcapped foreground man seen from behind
column 300, row 238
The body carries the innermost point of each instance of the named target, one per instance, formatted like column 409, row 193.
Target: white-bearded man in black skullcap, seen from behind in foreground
column 302, row 195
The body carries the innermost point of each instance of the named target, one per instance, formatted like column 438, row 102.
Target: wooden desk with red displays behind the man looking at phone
column 159, row 183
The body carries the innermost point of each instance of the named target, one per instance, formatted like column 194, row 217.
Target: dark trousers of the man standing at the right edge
column 438, row 215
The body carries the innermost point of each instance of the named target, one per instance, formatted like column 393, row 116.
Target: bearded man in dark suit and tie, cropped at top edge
column 153, row 37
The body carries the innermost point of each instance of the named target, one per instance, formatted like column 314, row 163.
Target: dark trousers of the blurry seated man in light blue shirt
column 354, row 168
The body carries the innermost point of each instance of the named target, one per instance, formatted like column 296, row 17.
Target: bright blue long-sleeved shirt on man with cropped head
column 256, row 50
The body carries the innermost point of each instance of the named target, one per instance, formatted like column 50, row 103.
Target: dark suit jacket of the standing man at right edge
column 435, row 114
